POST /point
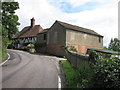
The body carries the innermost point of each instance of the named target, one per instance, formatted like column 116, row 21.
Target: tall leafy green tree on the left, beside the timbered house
column 9, row 19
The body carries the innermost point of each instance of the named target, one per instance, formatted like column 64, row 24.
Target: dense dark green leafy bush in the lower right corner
column 107, row 73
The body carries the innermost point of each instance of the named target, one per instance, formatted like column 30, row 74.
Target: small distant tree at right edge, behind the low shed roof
column 114, row 44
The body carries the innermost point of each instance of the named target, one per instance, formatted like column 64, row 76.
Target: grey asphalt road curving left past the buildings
column 25, row 70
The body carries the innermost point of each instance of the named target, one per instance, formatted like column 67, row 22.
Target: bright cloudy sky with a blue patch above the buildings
column 98, row 15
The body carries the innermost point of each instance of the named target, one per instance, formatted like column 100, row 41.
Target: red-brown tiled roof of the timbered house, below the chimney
column 29, row 31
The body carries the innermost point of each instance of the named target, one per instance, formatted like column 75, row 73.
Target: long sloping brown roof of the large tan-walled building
column 77, row 28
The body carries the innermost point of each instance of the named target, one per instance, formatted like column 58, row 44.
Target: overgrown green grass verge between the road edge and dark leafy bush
column 77, row 78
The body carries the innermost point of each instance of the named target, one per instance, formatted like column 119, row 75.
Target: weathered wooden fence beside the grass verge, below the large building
column 76, row 59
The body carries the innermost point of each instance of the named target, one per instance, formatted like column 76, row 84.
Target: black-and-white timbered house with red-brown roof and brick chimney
column 27, row 35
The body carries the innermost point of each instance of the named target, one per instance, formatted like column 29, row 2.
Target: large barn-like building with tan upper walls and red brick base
column 64, row 34
